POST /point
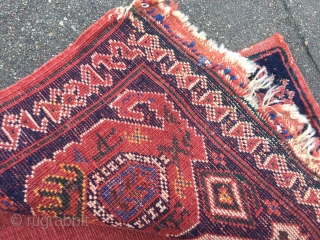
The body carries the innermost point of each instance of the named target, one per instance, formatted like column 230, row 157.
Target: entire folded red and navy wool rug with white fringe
column 144, row 124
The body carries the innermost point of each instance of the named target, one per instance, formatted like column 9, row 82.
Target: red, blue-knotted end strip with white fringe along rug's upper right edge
column 276, row 105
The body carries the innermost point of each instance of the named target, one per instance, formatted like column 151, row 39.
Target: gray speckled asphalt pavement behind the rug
column 33, row 31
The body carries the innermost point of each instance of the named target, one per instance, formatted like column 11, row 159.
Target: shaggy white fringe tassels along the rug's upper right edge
column 305, row 142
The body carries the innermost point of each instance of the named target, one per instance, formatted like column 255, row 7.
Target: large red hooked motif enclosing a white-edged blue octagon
column 128, row 183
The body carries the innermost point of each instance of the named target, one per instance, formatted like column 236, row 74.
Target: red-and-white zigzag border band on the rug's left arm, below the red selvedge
column 73, row 94
